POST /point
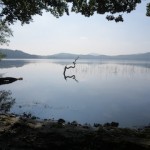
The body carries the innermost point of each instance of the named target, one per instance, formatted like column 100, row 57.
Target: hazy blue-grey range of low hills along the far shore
column 17, row 54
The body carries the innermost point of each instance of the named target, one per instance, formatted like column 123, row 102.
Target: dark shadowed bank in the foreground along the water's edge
column 24, row 132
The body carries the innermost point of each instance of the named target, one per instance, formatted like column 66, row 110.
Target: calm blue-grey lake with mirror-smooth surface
column 99, row 91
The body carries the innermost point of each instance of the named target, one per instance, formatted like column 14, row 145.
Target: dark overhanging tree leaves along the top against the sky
column 24, row 10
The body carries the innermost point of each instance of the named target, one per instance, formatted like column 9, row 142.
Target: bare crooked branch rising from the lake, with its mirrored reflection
column 73, row 76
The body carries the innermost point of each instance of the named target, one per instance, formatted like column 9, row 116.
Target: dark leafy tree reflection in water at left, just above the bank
column 6, row 101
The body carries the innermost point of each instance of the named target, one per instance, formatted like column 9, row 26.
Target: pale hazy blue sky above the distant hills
column 77, row 34
